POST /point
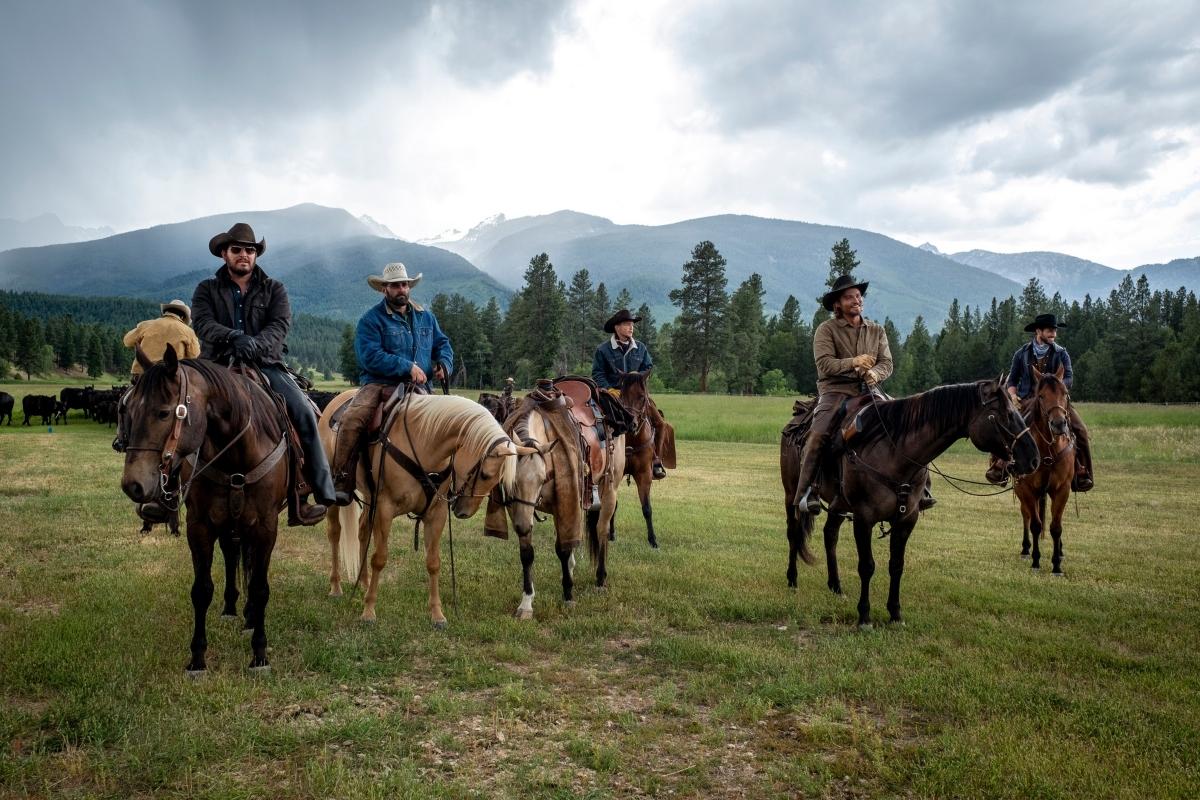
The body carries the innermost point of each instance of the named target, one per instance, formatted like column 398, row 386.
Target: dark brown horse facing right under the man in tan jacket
column 878, row 476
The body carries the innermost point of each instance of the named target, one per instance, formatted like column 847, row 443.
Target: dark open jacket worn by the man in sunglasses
column 266, row 309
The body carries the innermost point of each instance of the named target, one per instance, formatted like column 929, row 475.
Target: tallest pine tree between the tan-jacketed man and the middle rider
column 703, row 302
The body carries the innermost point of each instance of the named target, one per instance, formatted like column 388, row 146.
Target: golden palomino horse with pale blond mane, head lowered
column 441, row 455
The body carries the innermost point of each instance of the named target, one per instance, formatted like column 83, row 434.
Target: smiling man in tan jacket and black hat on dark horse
column 854, row 358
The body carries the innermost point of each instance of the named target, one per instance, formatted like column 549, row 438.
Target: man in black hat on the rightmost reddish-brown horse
column 1045, row 353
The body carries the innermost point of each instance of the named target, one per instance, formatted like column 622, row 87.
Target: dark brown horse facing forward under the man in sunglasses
column 183, row 412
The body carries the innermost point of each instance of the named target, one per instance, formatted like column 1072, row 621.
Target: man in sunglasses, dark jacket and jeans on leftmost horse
column 243, row 316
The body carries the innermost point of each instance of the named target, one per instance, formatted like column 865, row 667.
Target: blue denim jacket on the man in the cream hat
column 387, row 345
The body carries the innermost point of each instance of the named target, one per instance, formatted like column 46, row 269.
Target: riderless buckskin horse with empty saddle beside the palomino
column 550, row 480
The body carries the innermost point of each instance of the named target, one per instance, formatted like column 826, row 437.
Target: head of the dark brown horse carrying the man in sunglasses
column 161, row 423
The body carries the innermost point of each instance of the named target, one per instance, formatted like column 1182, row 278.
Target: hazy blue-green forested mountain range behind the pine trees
column 323, row 255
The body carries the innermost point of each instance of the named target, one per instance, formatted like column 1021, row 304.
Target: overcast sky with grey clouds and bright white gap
column 1006, row 127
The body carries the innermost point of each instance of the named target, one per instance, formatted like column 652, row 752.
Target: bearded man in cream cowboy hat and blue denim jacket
column 397, row 342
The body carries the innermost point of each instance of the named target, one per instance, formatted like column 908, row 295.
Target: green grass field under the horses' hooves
column 699, row 673
